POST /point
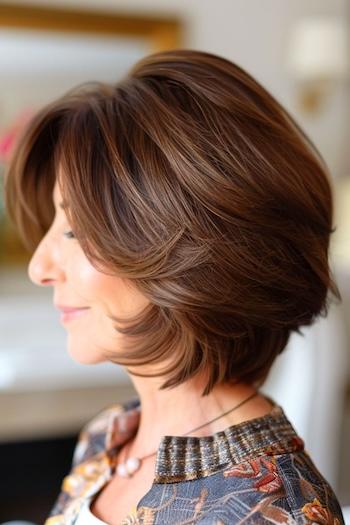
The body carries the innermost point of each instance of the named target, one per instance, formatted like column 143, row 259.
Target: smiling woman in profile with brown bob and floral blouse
column 183, row 220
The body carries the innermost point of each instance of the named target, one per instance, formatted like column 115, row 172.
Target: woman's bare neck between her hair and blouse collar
column 177, row 411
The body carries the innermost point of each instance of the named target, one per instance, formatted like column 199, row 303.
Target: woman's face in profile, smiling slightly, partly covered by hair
column 60, row 262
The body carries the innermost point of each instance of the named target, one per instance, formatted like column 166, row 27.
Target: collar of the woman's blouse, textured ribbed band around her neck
column 187, row 457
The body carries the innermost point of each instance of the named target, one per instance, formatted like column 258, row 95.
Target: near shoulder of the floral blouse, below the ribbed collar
column 266, row 488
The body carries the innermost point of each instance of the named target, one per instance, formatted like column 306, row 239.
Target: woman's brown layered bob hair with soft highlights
column 189, row 179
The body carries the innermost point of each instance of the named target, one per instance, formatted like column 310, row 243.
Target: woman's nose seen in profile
column 44, row 268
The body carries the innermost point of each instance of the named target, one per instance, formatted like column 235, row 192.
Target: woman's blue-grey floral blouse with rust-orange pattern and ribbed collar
column 254, row 472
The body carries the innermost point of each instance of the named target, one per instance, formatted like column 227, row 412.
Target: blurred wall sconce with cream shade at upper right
column 318, row 58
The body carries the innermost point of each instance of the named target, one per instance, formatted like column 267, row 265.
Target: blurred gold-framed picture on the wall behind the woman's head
column 47, row 51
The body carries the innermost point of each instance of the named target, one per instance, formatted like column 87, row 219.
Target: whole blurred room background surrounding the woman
column 299, row 50
